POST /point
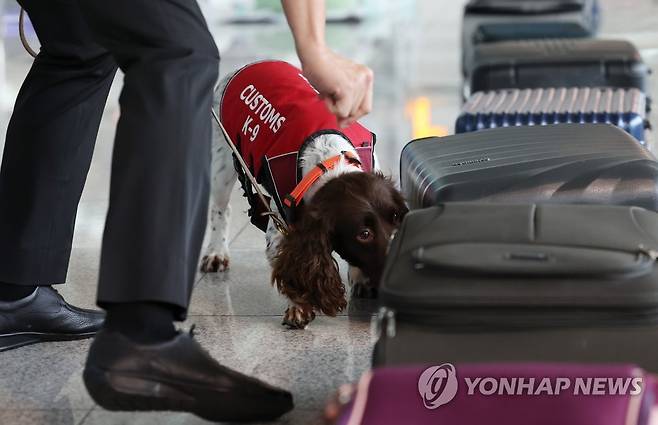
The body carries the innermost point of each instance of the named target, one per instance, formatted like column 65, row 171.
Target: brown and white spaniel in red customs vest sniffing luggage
column 324, row 179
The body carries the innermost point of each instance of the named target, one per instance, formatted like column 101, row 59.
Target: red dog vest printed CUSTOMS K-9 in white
column 270, row 110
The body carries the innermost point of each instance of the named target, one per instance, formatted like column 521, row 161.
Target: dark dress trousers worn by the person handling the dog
column 160, row 167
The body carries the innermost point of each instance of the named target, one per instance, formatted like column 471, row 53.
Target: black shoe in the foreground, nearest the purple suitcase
column 176, row 375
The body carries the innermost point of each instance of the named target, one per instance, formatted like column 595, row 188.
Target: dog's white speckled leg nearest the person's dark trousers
column 224, row 176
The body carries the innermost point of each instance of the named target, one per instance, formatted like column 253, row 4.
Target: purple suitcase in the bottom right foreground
column 543, row 394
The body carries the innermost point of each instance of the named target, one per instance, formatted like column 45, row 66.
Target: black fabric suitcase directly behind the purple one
column 471, row 282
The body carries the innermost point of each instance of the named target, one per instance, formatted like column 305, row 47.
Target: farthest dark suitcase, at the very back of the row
column 500, row 20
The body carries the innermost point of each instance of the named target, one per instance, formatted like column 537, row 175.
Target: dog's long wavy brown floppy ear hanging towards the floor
column 304, row 270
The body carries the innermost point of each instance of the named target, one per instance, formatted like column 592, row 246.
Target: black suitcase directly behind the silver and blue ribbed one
column 555, row 63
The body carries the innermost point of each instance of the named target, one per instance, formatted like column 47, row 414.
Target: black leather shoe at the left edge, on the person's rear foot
column 45, row 316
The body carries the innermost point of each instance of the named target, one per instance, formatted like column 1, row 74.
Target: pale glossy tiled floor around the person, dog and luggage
column 413, row 46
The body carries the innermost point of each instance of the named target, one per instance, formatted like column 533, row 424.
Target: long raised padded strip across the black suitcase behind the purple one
column 533, row 260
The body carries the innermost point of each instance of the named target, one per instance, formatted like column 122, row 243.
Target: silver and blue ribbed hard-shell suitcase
column 625, row 108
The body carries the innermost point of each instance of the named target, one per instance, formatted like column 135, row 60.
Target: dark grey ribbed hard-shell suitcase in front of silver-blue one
column 564, row 163
